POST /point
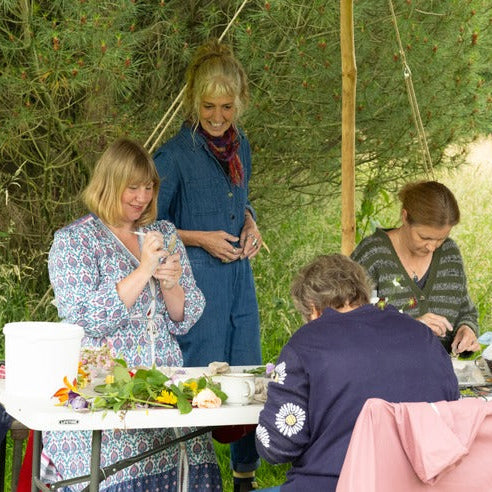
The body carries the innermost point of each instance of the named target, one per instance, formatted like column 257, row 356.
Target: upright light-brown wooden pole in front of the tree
column 349, row 81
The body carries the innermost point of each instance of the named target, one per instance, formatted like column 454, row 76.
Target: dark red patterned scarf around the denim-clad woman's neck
column 224, row 149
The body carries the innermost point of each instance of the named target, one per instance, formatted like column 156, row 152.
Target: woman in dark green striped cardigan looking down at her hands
column 418, row 268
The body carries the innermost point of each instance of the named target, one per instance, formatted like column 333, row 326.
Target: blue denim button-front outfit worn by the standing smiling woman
column 197, row 195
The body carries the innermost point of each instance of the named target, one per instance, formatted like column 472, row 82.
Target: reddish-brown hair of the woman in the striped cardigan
column 429, row 203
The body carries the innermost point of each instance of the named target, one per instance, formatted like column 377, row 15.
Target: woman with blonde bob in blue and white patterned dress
column 134, row 292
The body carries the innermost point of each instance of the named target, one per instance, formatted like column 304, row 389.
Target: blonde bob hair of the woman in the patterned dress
column 123, row 163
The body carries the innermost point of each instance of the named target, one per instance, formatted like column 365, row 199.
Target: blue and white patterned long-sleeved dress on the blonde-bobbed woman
column 86, row 261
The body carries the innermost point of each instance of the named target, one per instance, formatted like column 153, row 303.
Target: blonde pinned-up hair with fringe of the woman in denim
column 214, row 72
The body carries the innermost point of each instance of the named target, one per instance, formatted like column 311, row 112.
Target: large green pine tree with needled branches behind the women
column 76, row 74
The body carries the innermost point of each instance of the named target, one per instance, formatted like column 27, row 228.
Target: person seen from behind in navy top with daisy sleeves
column 348, row 351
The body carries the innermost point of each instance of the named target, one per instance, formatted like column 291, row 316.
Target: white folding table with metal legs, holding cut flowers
column 43, row 415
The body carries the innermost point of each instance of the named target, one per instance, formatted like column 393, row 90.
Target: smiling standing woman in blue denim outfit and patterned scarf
column 205, row 171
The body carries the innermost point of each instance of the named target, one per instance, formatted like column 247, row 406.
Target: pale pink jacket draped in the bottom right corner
column 441, row 447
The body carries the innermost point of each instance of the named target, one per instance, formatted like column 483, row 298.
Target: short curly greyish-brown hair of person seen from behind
column 330, row 281
